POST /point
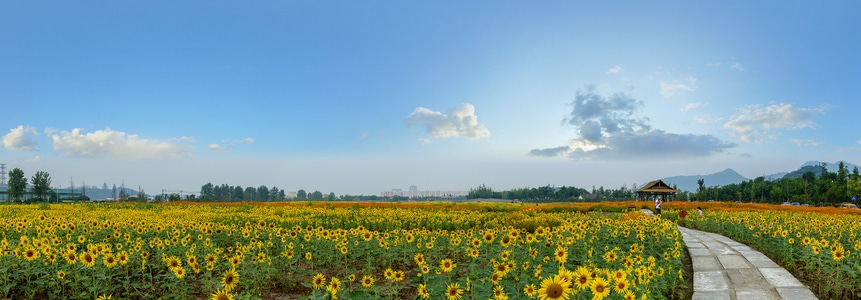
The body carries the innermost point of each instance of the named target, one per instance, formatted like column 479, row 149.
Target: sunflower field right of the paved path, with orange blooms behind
column 819, row 245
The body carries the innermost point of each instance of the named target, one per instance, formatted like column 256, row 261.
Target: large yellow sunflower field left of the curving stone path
column 337, row 250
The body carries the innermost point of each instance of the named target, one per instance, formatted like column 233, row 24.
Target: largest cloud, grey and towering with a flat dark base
column 608, row 128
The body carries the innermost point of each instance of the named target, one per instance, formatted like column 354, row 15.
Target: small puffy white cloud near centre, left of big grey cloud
column 460, row 121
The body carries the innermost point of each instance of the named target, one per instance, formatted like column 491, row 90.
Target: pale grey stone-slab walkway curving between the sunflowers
column 729, row 270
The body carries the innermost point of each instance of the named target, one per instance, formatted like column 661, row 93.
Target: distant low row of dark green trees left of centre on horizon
column 227, row 193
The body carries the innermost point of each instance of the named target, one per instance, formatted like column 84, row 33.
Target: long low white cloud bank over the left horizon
column 109, row 143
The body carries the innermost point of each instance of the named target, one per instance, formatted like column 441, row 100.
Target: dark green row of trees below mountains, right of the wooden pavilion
column 816, row 186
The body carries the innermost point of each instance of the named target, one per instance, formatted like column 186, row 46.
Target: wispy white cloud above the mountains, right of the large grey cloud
column 756, row 123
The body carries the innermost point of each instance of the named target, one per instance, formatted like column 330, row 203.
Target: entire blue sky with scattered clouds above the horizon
column 358, row 97
